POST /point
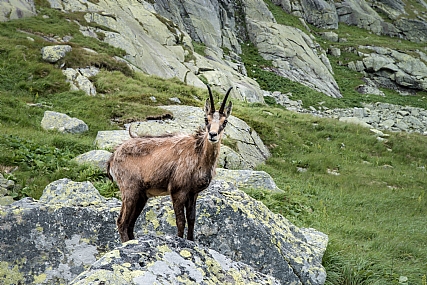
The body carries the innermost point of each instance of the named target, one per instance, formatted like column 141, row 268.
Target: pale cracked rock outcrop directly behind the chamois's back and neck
column 249, row 149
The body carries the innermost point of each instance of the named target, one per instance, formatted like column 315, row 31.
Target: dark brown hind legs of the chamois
column 132, row 206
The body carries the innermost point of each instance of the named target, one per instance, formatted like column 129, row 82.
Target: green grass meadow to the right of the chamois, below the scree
column 373, row 212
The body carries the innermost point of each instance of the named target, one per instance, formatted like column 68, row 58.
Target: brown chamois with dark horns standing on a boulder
column 177, row 165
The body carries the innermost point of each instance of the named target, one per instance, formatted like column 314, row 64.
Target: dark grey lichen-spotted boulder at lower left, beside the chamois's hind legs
column 52, row 240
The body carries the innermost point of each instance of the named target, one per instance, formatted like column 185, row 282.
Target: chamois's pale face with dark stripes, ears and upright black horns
column 216, row 120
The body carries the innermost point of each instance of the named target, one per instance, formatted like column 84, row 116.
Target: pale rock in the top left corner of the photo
column 16, row 9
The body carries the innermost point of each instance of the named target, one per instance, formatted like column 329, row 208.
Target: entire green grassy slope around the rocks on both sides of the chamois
column 374, row 214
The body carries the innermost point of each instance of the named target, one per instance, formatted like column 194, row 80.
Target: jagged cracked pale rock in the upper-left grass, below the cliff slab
column 79, row 79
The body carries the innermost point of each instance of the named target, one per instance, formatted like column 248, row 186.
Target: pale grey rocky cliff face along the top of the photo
column 158, row 36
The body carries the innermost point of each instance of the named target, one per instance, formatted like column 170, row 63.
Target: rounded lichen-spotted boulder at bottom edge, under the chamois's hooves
column 168, row 260
